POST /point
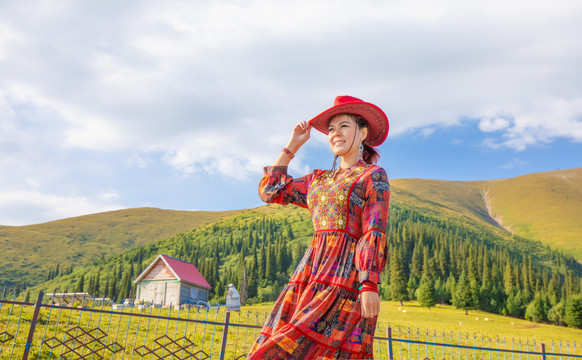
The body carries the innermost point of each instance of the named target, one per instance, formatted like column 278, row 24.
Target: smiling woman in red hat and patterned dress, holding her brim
column 330, row 306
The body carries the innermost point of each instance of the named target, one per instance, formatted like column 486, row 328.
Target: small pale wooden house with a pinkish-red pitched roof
column 169, row 281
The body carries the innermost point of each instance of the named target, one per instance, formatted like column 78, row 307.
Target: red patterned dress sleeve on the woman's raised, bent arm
column 279, row 188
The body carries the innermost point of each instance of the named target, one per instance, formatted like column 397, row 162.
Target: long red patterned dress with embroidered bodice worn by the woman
column 317, row 315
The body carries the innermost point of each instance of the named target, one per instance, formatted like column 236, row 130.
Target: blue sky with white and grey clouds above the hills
column 179, row 105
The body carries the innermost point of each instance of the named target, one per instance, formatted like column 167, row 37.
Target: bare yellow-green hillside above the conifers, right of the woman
column 546, row 206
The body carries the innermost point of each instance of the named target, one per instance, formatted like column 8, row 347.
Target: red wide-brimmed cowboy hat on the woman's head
column 377, row 120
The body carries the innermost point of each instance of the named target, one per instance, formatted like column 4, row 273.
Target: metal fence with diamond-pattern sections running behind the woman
column 45, row 331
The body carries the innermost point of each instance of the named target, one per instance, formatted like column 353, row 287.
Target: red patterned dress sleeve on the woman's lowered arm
column 371, row 250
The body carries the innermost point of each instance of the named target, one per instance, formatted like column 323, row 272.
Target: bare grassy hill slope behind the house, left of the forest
column 28, row 252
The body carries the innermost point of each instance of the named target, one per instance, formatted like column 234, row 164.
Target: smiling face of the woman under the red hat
column 344, row 135
